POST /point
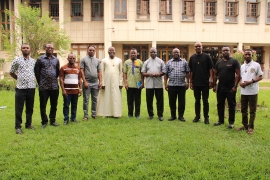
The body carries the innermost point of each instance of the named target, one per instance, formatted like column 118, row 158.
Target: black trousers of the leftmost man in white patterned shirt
column 22, row 96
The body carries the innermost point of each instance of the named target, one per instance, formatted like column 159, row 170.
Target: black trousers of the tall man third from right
column 201, row 91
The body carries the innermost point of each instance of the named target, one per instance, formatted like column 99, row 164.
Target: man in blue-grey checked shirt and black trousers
column 177, row 72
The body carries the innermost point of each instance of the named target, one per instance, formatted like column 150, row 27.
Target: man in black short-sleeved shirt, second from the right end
column 227, row 70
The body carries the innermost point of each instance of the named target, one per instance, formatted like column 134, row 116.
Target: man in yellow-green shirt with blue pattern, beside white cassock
column 133, row 83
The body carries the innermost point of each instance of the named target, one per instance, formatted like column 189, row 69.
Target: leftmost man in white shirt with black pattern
column 22, row 69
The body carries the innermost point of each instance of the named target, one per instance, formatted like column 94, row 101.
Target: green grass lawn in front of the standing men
column 134, row 149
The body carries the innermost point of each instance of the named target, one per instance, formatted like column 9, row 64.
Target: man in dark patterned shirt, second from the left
column 47, row 72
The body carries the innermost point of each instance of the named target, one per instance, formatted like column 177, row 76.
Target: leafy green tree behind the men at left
column 29, row 27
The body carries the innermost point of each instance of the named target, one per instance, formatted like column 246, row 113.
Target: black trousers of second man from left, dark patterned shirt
column 43, row 99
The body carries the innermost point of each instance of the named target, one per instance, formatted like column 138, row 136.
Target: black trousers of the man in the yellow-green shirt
column 134, row 97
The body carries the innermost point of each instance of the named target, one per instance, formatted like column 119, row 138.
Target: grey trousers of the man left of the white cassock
column 93, row 91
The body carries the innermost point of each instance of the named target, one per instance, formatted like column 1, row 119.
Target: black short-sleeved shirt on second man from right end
column 226, row 72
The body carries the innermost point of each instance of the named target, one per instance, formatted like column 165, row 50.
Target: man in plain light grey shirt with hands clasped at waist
column 153, row 71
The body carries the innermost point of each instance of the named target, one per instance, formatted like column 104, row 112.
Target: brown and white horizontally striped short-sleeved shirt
column 71, row 76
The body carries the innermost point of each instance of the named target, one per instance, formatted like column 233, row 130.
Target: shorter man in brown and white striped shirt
column 71, row 84
